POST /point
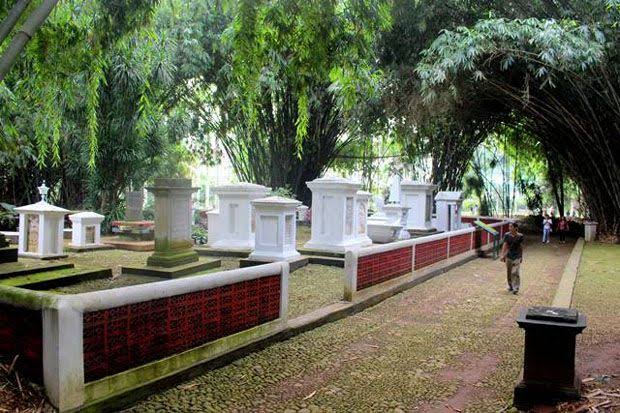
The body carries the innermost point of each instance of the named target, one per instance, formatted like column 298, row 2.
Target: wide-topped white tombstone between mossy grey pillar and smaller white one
column 232, row 225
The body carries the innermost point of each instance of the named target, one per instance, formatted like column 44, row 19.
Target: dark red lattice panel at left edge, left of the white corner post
column 21, row 333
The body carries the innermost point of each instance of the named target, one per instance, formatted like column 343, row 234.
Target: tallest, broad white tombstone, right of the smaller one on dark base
column 334, row 214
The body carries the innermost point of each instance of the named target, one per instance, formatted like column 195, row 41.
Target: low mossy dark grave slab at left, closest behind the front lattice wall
column 57, row 278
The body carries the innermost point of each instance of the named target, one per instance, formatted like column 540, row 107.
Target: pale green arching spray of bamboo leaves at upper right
column 541, row 48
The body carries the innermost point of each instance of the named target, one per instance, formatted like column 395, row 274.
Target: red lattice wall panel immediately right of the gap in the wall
column 377, row 268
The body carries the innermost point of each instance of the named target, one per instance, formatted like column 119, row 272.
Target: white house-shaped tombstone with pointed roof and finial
column 41, row 228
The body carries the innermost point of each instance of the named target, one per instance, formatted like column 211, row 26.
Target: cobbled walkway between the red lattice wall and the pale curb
column 450, row 344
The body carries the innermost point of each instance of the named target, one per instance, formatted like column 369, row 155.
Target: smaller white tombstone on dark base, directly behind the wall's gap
column 276, row 229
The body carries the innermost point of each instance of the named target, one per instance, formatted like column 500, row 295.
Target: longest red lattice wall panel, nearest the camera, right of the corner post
column 121, row 338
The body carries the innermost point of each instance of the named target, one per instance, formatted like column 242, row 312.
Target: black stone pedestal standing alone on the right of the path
column 549, row 359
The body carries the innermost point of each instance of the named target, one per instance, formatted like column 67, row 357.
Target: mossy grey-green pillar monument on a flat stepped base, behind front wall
column 174, row 255
